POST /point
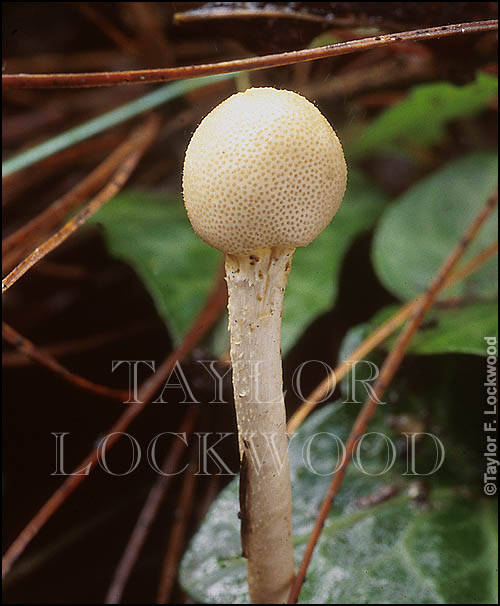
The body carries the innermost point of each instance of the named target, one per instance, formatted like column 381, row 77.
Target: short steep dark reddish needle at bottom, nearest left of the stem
column 176, row 539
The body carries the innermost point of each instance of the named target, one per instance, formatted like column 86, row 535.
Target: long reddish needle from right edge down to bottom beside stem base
column 387, row 372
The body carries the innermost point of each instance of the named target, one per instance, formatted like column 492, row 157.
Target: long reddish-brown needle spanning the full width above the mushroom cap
column 90, row 79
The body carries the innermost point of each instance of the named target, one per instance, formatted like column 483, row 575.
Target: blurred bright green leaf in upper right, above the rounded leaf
column 420, row 119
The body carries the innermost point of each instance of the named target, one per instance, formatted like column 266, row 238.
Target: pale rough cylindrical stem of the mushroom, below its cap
column 256, row 284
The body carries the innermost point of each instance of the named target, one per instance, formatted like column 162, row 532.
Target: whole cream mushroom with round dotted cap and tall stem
column 264, row 173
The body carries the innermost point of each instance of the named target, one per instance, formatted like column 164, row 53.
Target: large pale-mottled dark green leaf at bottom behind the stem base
column 392, row 552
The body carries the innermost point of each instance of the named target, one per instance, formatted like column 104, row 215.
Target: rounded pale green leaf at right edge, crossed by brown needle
column 418, row 232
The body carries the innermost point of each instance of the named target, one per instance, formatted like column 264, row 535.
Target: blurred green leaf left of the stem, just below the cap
column 152, row 233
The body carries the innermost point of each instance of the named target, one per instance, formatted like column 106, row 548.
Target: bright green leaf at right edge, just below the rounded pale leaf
column 452, row 330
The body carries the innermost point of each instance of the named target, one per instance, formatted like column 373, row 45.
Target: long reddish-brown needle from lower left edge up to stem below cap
column 205, row 320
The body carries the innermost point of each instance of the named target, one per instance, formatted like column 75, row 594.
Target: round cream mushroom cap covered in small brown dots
column 264, row 168
